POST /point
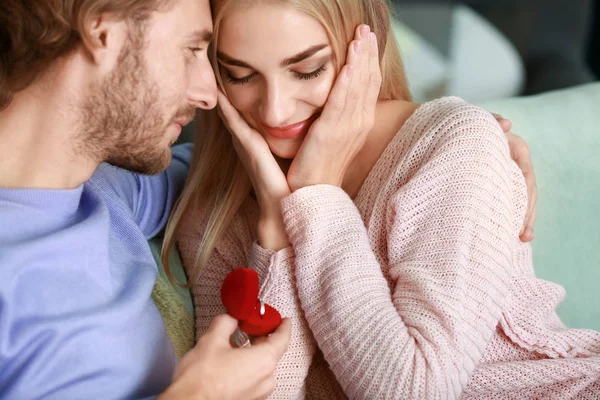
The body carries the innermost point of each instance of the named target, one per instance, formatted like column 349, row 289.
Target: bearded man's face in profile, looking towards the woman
column 162, row 76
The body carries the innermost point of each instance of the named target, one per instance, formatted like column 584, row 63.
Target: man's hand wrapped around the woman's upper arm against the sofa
column 519, row 151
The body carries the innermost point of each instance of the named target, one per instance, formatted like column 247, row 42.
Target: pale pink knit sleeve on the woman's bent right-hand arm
column 419, row 330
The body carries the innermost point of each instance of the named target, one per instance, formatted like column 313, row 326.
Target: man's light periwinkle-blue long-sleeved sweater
column 77, row 320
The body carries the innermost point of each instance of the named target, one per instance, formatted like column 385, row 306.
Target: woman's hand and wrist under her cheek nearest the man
column 269, row 181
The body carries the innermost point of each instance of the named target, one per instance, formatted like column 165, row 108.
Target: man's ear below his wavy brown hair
column 103, row 39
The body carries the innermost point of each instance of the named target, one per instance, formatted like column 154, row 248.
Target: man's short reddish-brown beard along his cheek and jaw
column 121, row 121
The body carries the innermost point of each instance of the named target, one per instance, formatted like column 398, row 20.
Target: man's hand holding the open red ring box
column 214, row 369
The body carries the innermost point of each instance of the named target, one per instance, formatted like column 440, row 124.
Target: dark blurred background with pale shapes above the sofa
column 489, row 49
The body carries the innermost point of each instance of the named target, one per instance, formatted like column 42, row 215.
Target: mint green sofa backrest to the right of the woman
column 562, row 129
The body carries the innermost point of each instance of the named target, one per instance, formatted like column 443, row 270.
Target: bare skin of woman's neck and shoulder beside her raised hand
column 390, row 117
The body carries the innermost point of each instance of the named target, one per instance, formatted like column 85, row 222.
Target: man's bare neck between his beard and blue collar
column 38, row 132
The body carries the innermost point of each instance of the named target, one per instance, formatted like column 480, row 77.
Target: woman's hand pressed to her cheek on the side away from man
column 339, row 133
